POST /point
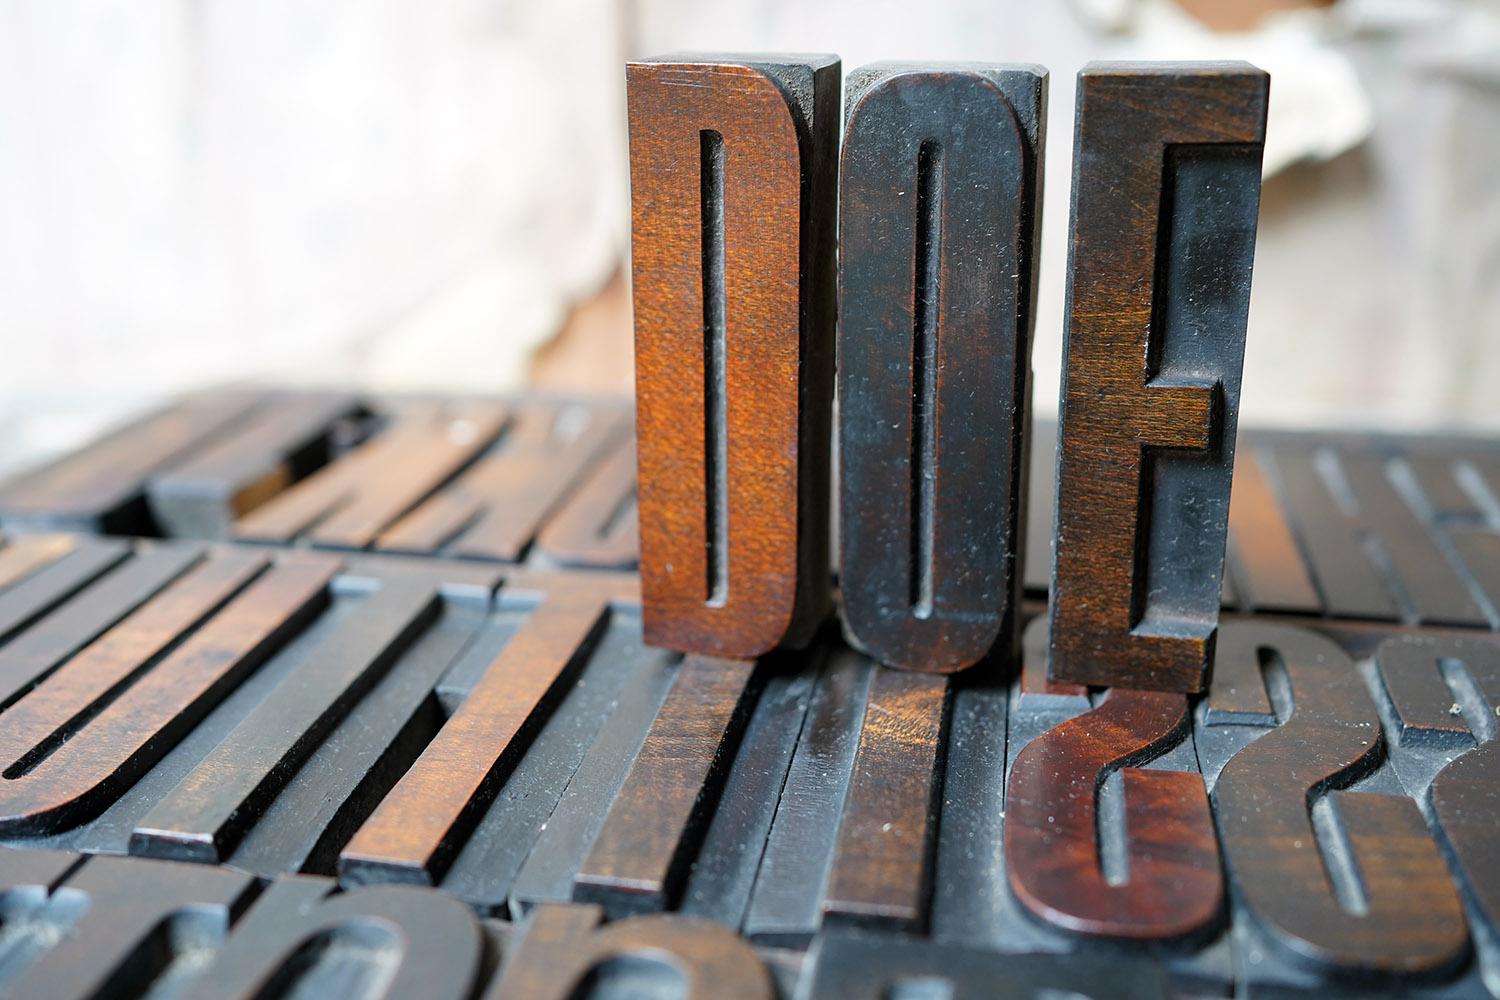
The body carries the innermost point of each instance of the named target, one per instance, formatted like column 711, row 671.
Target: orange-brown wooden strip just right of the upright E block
column 1265, row 563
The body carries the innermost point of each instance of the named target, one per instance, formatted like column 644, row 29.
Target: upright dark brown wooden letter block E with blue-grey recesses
column 1165, row 205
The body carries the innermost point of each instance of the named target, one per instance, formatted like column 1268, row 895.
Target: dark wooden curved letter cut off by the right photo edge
column 1466, row 794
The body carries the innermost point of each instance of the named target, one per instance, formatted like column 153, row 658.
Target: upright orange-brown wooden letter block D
column 733, row 251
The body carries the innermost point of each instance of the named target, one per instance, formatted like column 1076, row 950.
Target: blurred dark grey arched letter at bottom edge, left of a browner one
column 401, row 941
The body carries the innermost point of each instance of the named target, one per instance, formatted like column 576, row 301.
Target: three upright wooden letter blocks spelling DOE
column 739, row 187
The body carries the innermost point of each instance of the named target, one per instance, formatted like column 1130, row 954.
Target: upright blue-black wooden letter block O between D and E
column 937, row 265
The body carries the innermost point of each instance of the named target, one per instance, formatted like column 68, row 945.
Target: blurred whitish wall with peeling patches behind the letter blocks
column 433, row 194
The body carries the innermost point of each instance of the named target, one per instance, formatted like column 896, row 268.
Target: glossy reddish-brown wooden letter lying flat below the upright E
column 1052, row 825
